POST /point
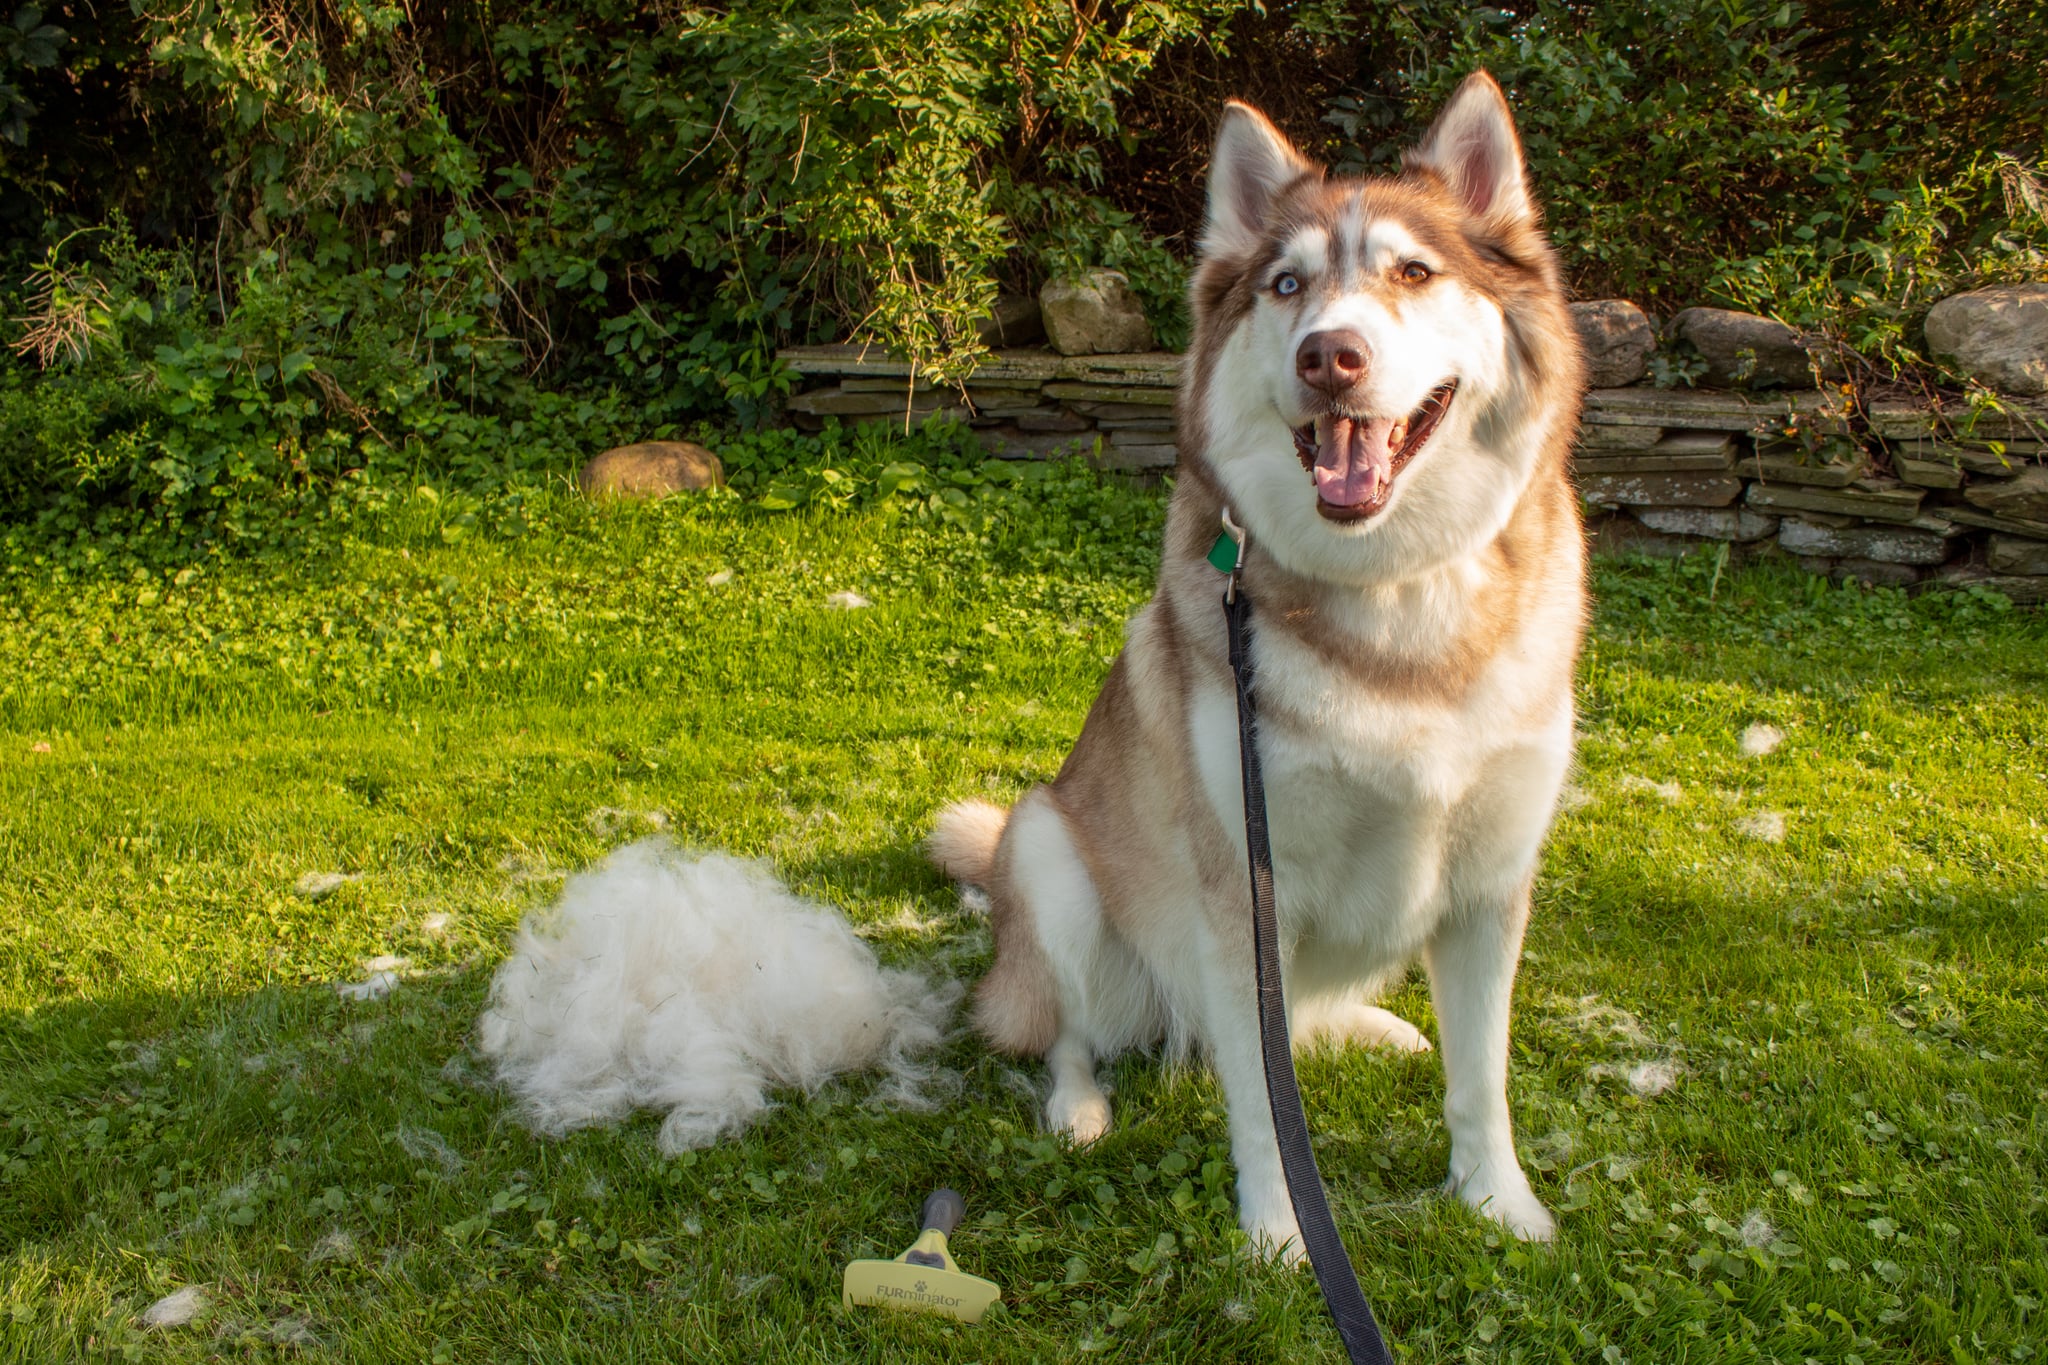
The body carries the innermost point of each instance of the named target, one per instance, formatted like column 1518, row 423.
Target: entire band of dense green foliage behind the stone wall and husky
column 261, row 249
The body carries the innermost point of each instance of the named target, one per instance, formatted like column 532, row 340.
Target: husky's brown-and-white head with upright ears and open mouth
column 1381, row 363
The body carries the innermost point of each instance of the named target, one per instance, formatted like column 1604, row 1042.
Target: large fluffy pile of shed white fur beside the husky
column 695, row 985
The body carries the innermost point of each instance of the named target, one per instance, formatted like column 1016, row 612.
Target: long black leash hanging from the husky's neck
column 1297, row 1159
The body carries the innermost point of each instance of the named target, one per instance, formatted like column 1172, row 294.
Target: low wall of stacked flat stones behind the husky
column 1895, row 498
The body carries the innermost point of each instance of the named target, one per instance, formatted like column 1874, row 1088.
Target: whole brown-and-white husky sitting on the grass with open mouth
column 1383, row 392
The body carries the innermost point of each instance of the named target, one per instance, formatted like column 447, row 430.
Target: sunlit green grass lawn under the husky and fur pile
column 1779, row 1047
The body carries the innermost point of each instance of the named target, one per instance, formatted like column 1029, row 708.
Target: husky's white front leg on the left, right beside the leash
column 1232, row 1028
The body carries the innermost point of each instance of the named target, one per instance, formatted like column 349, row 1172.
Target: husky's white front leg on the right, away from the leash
column 1471, row 979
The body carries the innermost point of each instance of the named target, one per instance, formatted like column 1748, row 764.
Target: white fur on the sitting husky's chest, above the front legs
column 1392, row 805
